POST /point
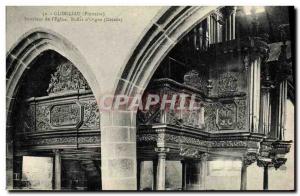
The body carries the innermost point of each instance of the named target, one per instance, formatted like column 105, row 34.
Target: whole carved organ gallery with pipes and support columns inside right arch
column 239, row 110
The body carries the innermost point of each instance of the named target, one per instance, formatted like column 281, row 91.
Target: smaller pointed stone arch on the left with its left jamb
column 18, row 61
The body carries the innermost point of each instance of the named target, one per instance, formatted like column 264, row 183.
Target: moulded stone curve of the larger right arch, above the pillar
column 162, row 35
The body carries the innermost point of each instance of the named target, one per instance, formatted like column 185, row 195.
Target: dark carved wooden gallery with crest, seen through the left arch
column 68, row 117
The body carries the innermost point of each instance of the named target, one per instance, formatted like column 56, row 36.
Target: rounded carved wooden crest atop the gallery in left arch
column 66, row 78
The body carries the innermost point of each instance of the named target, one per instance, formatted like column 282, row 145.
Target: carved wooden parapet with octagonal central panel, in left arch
column 62, row 115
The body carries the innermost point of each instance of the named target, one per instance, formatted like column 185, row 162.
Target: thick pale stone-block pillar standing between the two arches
column 118, row 150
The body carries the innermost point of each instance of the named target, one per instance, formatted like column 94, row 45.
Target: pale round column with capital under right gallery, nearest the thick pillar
column 161, row 168
